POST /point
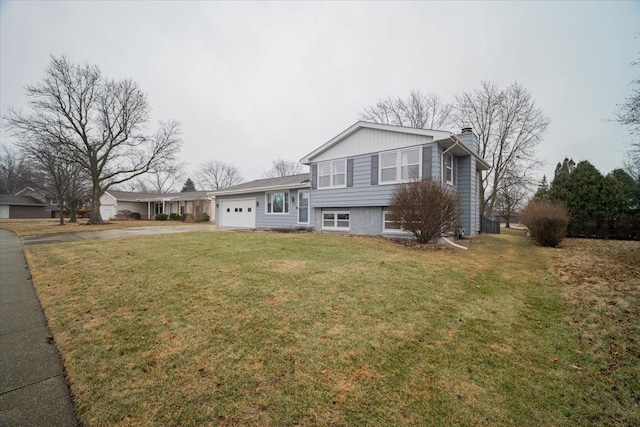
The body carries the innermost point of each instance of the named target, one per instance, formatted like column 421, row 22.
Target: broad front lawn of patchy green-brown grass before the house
column 314, row 329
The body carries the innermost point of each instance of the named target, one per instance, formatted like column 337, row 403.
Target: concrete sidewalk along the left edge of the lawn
column 33, row 390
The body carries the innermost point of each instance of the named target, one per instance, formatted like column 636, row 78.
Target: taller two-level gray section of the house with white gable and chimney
column 353, row 175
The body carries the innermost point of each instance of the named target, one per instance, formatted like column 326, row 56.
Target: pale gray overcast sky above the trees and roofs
column 252, row 82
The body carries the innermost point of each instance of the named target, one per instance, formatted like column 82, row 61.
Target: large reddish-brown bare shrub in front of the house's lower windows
column 425, row 208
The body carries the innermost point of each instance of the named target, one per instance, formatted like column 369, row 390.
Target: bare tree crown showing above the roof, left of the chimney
column 418, row 110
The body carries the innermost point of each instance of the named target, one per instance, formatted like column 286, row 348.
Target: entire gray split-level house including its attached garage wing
column 352, row 179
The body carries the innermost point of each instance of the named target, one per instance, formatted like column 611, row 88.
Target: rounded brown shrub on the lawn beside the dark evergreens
column 546, row 220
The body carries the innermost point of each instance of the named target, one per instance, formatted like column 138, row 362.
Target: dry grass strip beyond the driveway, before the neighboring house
column 40, row 226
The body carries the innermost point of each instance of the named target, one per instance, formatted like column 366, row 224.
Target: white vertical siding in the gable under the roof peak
column 365, row 141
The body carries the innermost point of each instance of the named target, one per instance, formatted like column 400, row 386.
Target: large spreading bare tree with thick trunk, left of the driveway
column 95, row 122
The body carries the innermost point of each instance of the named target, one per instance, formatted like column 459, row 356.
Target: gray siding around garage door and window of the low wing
column 264, row 220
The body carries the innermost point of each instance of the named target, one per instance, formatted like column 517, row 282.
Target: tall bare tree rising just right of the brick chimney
column 509, row 127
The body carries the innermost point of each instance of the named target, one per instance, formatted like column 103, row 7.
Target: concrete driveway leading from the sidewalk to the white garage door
column 122, row 232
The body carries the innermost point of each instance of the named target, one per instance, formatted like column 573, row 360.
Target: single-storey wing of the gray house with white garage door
column 265, row 203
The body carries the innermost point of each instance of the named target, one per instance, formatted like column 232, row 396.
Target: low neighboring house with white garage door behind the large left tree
column 148, row 205
